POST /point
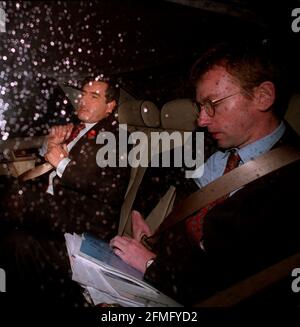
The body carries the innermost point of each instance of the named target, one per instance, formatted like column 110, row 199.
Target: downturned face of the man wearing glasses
column 234, row 122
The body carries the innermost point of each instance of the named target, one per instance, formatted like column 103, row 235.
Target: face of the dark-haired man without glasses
column 92, row 104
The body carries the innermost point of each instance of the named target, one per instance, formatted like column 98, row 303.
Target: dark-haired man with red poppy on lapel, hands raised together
column 80, row 197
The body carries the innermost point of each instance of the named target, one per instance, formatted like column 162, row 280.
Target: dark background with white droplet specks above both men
column 149, row 45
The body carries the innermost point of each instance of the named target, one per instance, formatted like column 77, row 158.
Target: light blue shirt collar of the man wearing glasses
column 261, row 146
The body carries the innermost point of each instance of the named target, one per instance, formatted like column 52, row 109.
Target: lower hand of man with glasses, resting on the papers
column 132, row 252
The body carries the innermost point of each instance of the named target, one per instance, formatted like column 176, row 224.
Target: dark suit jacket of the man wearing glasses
column 256, row 227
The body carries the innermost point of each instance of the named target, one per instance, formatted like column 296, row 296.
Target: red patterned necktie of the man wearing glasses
column 194, row 224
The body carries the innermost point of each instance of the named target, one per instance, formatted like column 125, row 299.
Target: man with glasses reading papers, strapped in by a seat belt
column 254, row 226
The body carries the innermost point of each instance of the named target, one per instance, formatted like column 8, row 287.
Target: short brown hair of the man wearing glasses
column 249, row 63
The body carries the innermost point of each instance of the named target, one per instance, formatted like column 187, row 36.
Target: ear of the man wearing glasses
column 265, row 95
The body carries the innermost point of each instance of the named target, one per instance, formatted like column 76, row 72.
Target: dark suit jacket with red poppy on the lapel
column 87, row 198
